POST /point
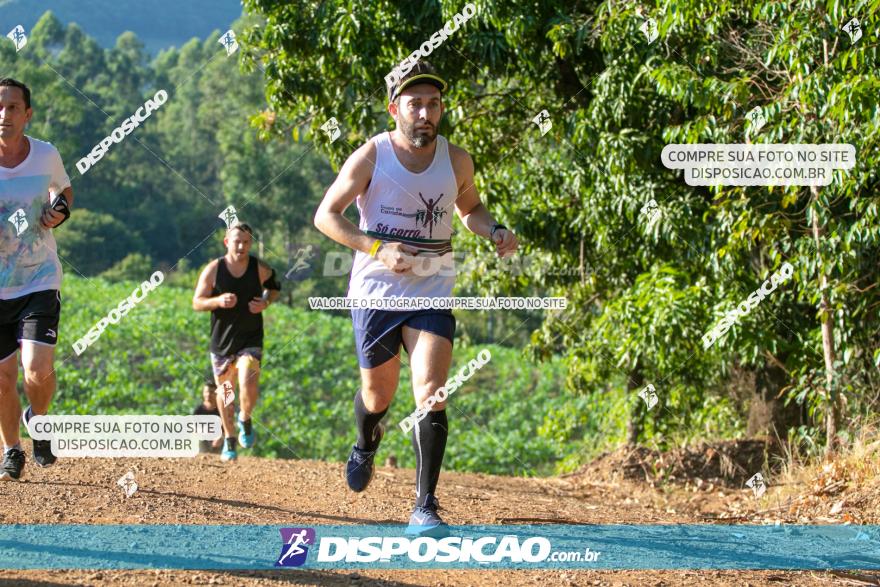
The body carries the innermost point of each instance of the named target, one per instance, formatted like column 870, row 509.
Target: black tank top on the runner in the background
column 236, row 328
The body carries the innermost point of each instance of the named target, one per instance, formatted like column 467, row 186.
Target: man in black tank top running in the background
column 236, row 288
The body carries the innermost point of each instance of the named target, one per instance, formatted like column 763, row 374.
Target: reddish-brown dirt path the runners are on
column 206, row 491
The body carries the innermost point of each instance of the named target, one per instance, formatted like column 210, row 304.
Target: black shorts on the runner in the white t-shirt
column 32, row 317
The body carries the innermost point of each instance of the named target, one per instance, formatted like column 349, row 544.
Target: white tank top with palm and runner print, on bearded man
column 411, row 208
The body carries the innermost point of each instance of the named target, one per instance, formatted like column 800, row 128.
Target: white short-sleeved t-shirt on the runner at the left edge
column 28, row 257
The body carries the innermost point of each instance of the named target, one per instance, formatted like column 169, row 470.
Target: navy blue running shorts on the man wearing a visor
column 379, row 333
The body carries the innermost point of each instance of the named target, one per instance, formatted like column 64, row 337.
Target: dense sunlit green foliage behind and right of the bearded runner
column 645, row 289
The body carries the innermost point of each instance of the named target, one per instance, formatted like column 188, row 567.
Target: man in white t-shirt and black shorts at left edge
column 35, row 197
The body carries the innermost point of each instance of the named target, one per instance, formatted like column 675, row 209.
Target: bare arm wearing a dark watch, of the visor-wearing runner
column 471, row 210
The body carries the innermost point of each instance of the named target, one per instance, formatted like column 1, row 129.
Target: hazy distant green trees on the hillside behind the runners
column 169, row 179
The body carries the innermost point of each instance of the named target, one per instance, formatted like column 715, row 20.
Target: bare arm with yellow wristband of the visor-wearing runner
column 353, row 179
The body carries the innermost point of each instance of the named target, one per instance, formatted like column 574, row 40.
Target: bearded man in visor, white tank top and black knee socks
column 407, row 184
